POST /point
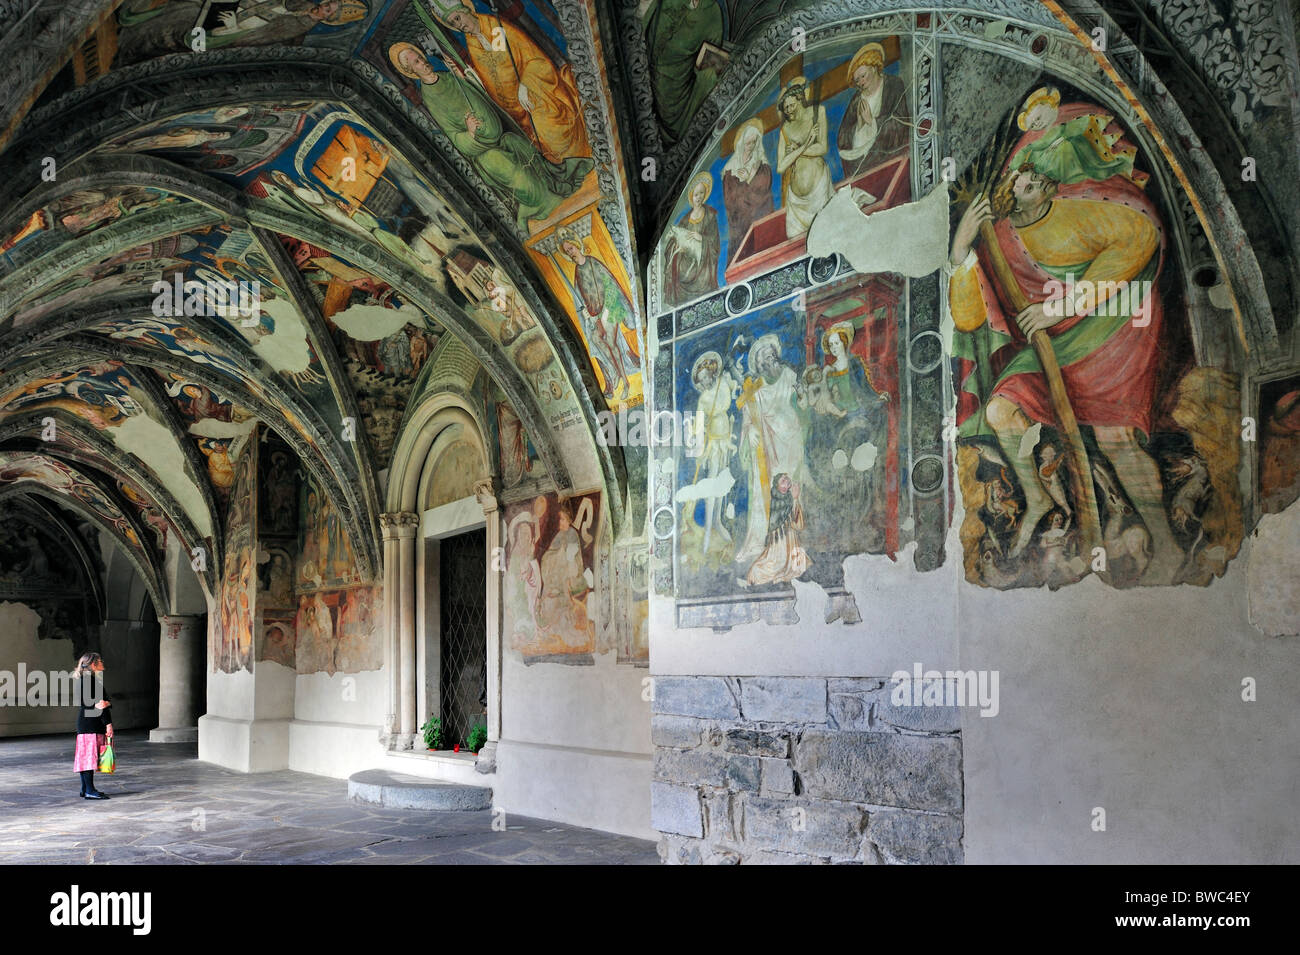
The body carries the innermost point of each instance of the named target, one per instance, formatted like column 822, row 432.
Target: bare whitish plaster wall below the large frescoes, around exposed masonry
column 1123, row 700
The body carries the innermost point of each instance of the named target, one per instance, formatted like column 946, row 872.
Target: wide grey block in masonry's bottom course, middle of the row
column 803, row 826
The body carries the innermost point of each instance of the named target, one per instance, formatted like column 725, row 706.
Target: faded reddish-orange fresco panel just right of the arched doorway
column 551, row 583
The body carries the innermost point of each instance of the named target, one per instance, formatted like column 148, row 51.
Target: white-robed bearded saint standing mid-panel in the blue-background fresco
column 772, row 444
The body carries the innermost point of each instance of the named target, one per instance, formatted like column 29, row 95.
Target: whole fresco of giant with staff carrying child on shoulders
column 1124, row 462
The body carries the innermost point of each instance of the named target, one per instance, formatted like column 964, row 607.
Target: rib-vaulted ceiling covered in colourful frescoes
column 344, row 162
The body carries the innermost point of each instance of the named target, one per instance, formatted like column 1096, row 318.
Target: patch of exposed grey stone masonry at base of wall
column 803, row 770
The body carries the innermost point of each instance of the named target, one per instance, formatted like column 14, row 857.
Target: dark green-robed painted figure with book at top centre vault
column 677, row 31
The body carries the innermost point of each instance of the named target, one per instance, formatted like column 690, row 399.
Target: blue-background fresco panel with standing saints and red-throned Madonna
column 791, row 461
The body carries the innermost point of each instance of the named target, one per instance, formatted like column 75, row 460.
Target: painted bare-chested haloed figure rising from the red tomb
column 801, row 158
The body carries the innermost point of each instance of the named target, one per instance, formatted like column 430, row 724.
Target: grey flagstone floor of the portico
column 168, row 808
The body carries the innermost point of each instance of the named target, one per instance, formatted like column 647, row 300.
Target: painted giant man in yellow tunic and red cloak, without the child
column 1106, row 344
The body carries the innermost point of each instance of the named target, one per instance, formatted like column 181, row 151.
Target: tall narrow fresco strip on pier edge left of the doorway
column 236, row 619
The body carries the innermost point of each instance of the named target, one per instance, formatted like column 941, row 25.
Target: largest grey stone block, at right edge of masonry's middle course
column 882, row 769
